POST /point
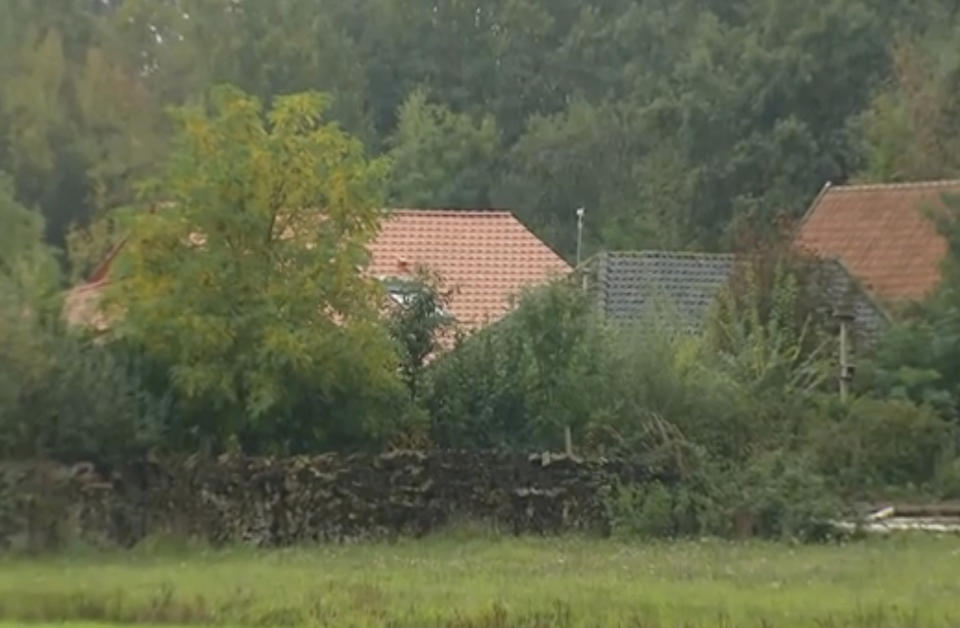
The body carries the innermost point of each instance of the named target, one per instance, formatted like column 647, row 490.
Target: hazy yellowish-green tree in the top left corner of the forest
column 77, row 125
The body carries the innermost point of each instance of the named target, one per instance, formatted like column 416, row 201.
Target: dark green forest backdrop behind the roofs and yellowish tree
column 669, row 122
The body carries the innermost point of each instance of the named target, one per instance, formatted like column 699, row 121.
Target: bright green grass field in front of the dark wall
column 465, row 581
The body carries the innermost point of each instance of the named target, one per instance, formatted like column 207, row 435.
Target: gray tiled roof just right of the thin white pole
column 631, row 285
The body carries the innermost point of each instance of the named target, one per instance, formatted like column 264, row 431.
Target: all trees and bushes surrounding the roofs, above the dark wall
column 241, row 319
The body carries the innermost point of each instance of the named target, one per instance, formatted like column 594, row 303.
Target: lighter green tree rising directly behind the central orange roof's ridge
column 442, row 159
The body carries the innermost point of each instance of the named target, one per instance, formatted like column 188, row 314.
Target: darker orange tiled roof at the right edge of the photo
column 883, row 234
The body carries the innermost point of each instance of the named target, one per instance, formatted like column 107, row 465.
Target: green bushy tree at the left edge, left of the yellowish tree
column 61, row 396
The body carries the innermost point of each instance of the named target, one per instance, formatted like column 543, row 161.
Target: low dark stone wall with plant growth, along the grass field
column 271, row 502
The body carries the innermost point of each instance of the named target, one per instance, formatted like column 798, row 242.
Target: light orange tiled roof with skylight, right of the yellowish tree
column 484, row 257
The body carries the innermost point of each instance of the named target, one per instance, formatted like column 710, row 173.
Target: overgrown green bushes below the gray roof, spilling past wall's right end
column 747, row 413
